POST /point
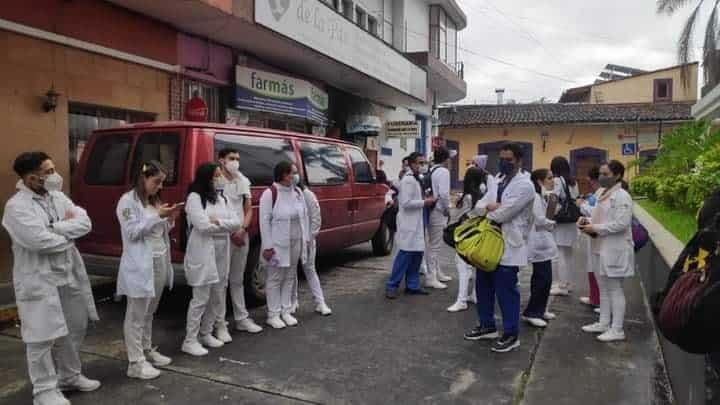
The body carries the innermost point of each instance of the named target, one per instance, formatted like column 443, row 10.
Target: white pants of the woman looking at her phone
column 140, row 312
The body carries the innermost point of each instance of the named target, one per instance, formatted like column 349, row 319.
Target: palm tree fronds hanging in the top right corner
column 711, row 57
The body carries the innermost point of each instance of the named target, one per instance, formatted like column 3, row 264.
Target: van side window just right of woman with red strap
column 324, row 164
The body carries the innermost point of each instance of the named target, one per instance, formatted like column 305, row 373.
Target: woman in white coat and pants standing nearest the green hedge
column 612, row 246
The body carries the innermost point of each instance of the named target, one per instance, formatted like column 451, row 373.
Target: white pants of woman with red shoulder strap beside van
column 280, row 284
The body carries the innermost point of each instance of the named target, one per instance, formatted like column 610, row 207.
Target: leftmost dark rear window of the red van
column 107, row 162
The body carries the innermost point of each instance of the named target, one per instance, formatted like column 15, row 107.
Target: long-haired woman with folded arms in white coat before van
column 207, row 258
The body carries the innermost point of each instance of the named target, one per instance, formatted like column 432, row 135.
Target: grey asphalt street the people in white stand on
column 370, row 351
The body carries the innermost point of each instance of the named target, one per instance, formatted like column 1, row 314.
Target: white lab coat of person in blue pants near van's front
column 410, row 235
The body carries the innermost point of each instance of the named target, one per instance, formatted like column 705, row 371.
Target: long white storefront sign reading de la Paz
column 316, row 25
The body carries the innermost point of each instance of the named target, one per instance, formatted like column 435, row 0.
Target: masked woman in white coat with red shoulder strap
column 285, row 234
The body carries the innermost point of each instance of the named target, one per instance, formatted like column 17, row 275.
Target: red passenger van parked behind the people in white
column 351, row 201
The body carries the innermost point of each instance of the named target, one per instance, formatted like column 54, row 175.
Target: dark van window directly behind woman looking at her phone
column 161, row 146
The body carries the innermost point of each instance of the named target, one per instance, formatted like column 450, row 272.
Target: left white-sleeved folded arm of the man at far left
column 30, row 232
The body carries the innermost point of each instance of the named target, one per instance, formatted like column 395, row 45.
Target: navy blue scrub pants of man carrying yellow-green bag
column 501, row 283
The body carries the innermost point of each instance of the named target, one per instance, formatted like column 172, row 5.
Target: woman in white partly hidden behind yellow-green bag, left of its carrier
column 480, row 189
